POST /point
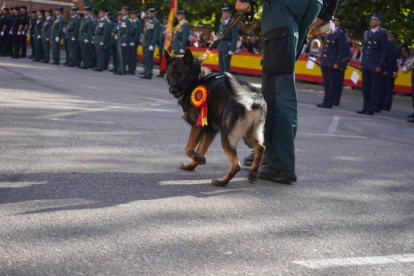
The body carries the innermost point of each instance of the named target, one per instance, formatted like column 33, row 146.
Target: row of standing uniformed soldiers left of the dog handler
column 92, row 39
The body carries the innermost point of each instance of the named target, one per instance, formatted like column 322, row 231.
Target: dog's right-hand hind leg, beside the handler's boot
column 254, row 139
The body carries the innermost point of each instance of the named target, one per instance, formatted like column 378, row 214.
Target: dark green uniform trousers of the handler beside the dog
column 285, row 24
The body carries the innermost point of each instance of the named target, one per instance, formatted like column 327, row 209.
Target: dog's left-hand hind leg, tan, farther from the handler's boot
column 230, row 148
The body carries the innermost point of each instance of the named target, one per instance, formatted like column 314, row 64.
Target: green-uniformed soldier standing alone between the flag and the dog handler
column 227, row 45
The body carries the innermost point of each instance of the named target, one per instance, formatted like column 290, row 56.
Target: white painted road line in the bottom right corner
column 356, row 261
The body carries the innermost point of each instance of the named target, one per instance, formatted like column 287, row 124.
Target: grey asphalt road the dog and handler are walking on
column 90, row 185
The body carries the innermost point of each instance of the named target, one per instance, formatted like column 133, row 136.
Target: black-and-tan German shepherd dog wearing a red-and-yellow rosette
column 235, row 108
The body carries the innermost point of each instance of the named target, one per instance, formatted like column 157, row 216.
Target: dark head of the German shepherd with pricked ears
column 182, row 72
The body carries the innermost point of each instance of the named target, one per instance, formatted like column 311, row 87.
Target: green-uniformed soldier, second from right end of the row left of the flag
column 136, row 28
